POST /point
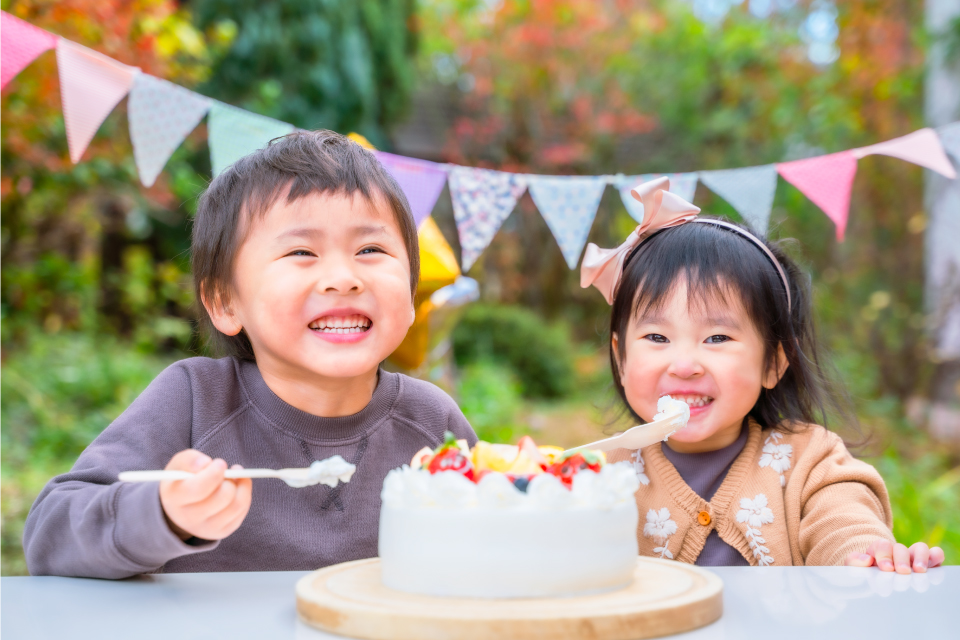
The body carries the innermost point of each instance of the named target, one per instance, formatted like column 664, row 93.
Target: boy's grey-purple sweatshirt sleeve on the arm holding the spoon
column 85, row 523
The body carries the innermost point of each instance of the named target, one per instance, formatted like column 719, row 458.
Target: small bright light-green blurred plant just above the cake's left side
column 489, row 396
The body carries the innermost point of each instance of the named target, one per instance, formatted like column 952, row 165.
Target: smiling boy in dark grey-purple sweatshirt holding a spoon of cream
column 305, row 259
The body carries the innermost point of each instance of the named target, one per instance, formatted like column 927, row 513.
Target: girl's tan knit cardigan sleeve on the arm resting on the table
column 844, row 507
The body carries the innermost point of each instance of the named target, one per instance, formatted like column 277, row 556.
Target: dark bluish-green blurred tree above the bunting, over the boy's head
column 342, row 65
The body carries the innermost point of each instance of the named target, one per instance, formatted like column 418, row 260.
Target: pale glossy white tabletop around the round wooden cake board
column 775, row 602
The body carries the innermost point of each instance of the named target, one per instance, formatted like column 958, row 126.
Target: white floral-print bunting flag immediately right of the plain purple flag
column 482, row 200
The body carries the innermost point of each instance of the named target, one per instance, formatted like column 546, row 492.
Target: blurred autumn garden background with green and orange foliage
column 97, row 295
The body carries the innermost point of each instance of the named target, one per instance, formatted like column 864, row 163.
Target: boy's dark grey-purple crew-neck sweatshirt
column 86, row 523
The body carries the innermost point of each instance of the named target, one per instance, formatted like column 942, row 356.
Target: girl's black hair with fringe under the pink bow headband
column 714, row 263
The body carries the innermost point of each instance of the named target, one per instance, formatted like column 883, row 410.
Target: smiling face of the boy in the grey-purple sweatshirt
column 321, row 286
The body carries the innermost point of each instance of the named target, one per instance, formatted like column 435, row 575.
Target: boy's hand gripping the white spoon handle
column 206, row 506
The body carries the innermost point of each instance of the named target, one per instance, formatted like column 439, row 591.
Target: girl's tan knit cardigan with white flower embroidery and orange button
column 788, row 499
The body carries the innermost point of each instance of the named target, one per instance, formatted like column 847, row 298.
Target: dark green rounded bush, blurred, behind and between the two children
column 540, row 355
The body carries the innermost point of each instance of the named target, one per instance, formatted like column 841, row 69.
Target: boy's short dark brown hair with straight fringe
column 293, row 166
